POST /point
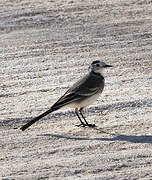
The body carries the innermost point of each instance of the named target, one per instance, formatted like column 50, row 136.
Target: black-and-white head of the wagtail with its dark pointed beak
column 99, row 66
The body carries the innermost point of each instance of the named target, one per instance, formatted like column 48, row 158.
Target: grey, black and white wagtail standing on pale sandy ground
column 81, row 94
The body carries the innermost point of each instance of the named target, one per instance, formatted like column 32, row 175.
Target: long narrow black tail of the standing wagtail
column 37, row 118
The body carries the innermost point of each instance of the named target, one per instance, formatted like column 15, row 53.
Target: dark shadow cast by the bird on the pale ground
column 116, row 137
